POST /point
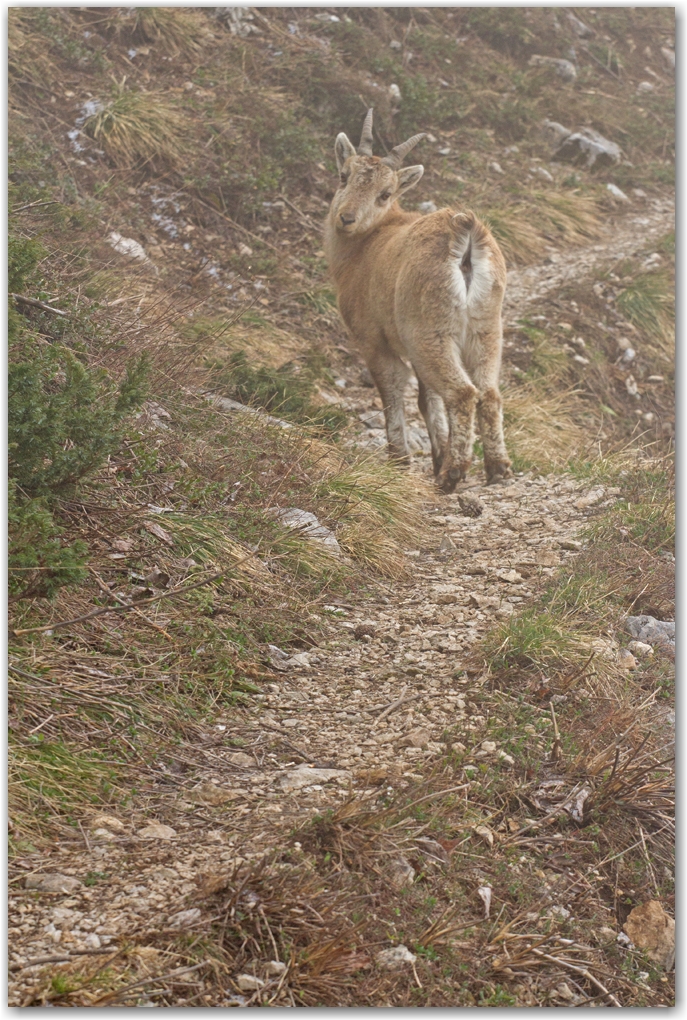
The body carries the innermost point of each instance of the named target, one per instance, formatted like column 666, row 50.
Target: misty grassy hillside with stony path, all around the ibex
column 218, row 581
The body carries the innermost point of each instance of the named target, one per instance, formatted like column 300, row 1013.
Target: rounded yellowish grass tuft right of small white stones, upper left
column 138, row 126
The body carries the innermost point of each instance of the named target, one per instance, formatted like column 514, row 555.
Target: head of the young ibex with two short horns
column 369, row 185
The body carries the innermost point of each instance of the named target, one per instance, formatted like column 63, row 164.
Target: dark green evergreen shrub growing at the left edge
column 64, row 420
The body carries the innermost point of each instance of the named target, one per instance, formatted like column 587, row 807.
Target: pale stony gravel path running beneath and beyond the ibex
column 368, row 706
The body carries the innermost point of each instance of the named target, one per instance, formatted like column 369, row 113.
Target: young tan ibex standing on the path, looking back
column 425, row 290
